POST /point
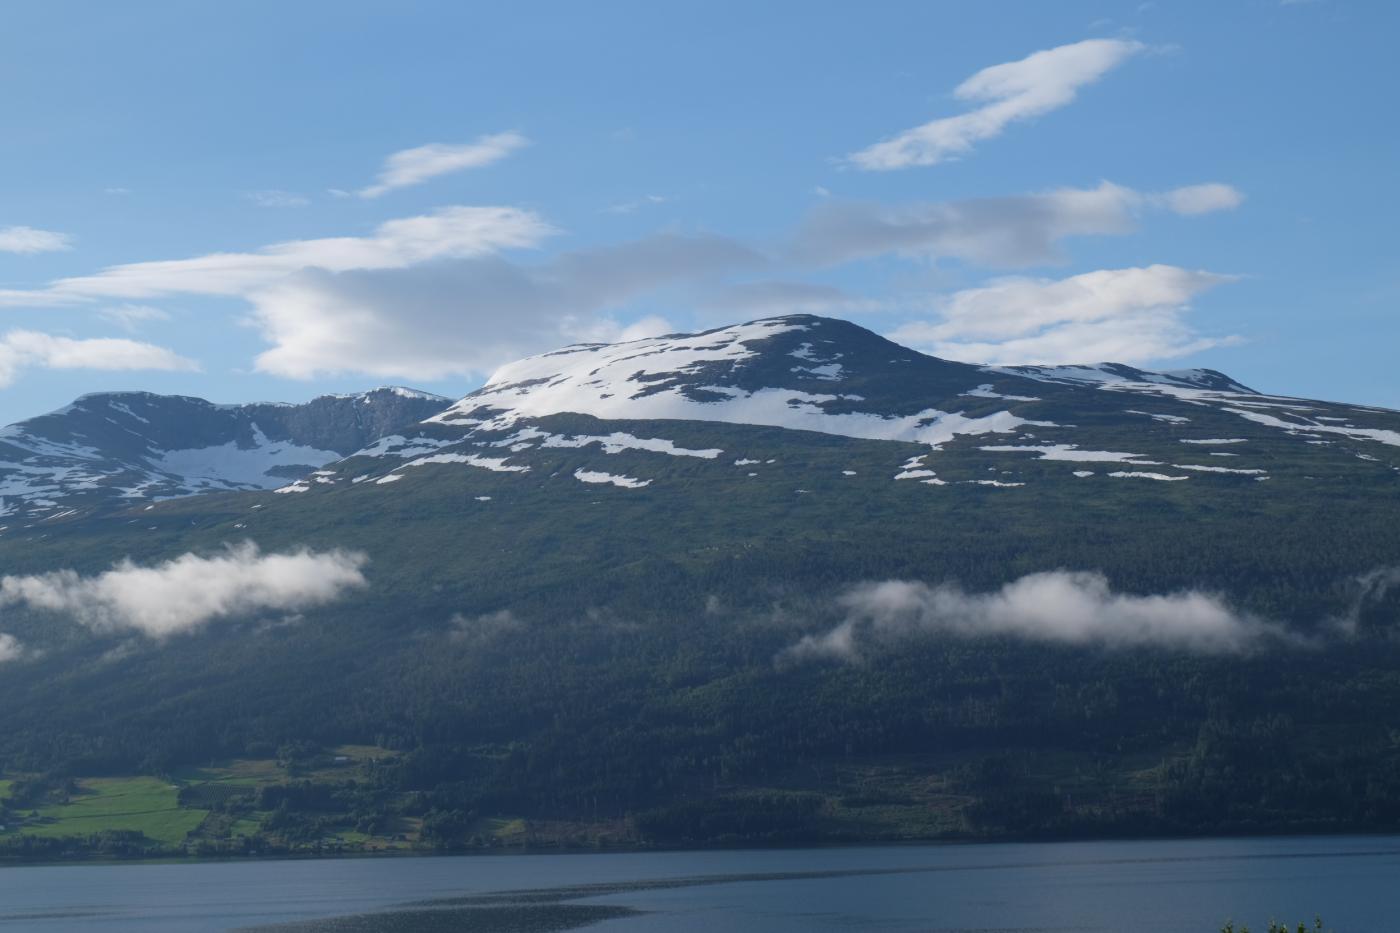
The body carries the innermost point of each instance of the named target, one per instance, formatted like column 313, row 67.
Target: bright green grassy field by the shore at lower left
column 142, row 805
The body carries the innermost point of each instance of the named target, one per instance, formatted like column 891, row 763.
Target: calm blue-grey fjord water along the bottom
column 1111, row 887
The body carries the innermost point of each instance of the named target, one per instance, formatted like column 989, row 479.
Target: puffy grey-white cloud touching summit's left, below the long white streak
column 470, row 317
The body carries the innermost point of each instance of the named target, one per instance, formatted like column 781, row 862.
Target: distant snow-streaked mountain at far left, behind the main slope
column 118, row 448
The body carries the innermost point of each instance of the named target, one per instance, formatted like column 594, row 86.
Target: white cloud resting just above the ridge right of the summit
column 1125, row 316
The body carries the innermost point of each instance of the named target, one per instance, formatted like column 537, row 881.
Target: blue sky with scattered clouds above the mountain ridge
column 456, row 186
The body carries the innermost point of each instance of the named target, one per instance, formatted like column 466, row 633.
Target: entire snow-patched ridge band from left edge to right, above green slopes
column 632, row 415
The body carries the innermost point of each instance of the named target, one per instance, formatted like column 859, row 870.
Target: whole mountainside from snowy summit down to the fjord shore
column 779, row 582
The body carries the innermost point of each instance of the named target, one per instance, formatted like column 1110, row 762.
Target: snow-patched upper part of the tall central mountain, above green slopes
column 950, row 422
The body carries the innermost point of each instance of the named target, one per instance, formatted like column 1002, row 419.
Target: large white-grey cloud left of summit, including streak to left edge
column 422, row 298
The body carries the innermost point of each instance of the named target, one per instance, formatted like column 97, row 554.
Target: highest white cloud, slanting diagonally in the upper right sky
column 1013, row 92
